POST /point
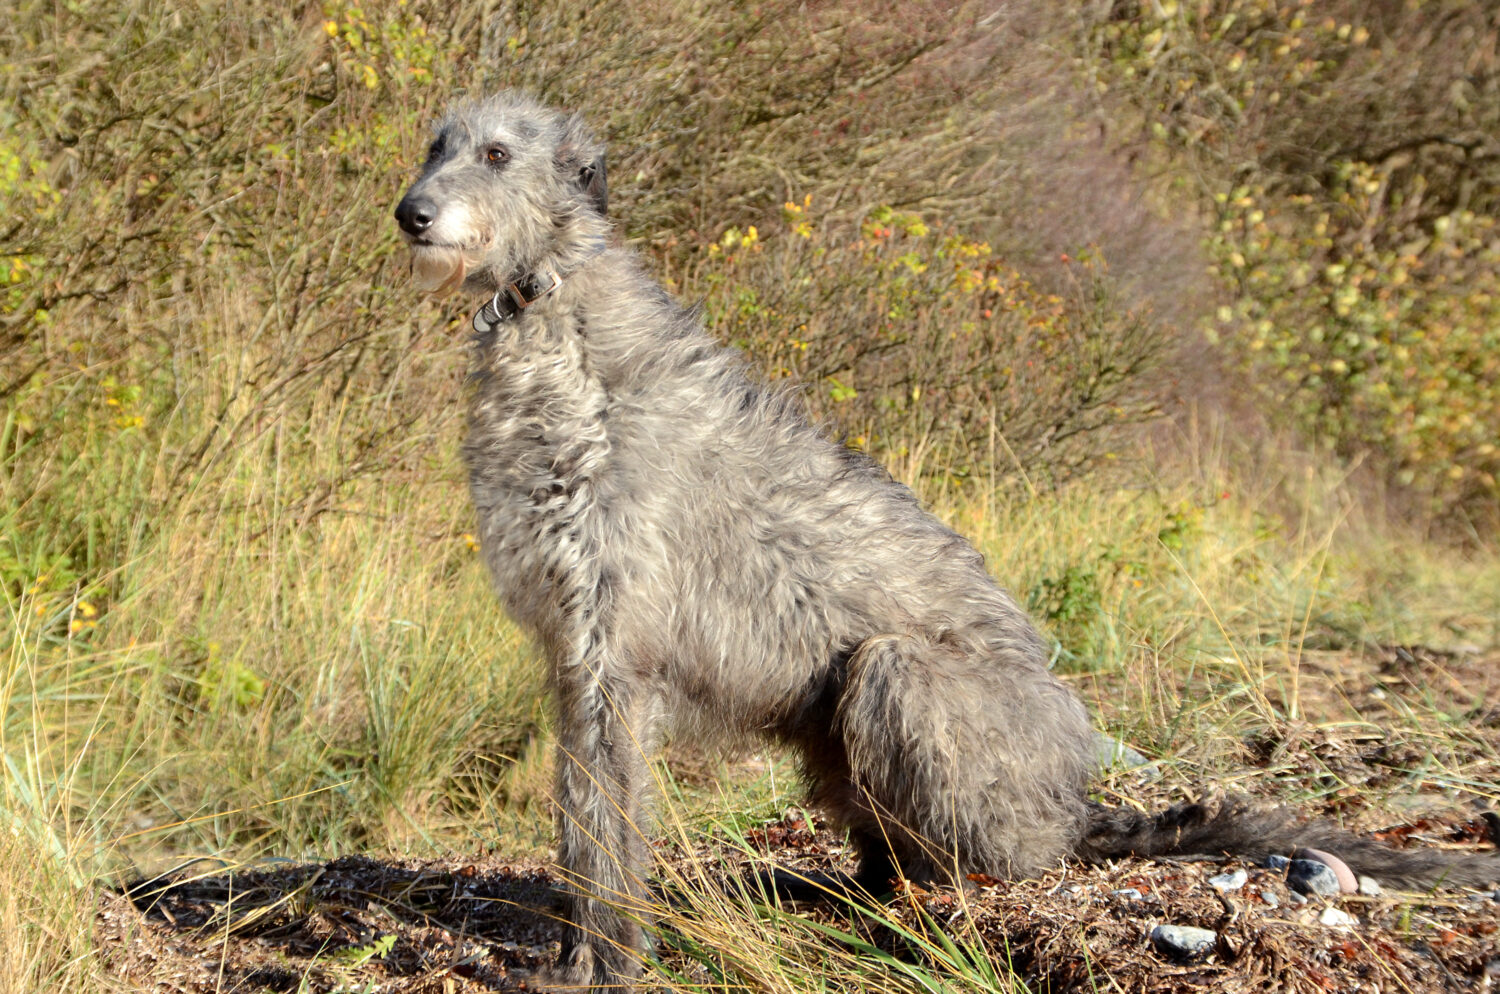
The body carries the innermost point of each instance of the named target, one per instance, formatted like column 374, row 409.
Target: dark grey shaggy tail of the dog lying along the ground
column 1238, row 828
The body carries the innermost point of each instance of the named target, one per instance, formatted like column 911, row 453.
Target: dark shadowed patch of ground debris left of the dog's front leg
column 353, row 924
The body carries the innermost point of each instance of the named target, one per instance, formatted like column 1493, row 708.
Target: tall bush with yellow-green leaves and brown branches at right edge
column 1349, row 160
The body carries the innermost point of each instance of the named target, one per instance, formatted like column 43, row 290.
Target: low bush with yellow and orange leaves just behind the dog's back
column 934, row 353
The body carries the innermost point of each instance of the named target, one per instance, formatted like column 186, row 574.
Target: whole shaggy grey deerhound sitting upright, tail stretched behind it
column 685, row 545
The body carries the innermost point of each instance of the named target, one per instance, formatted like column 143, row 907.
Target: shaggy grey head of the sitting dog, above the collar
column 508, row 187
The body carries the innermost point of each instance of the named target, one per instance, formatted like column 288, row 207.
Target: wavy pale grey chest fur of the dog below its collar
column 536, row 446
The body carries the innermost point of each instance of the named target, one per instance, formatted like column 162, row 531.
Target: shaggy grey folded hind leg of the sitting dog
column 962, row 761
